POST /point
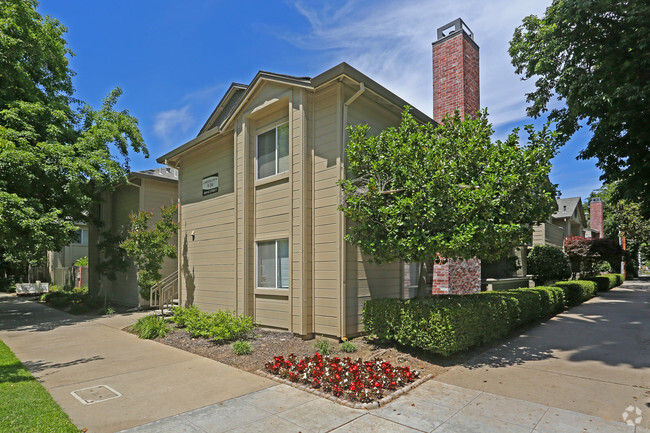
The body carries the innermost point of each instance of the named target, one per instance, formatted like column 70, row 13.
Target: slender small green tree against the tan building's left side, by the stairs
column 148, row 246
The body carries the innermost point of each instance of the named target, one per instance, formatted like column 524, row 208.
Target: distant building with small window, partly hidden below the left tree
column 59, row 263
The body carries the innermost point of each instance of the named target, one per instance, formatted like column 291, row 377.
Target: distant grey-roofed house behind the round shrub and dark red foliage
column 568, row 220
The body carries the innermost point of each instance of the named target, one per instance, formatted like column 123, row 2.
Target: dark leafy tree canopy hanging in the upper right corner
column 594, row 55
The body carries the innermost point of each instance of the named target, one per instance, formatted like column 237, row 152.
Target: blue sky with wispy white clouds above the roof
column 174, row 60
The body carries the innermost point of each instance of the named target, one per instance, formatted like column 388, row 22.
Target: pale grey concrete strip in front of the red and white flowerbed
column 432, row 407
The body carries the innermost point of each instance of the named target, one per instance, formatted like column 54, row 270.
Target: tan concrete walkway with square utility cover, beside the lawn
column 67, row 353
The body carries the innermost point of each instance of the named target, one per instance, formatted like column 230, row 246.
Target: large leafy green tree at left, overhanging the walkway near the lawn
column 56, row 153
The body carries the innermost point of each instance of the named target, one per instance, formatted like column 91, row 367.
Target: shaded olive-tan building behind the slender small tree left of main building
column 147, row 190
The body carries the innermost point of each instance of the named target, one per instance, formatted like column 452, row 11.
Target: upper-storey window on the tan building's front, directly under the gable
column 273, row 151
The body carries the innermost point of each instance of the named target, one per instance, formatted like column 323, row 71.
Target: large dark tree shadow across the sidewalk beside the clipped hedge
column 612, row 329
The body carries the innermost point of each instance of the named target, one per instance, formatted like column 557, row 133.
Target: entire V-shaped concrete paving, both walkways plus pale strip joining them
column 597, row 353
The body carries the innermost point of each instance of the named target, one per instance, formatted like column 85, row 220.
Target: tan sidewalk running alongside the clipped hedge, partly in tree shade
column 593, row 359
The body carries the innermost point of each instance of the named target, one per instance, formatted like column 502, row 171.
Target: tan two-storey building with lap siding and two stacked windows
column 261, row 233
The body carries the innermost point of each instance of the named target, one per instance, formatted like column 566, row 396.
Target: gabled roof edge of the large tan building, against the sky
column 237, row 95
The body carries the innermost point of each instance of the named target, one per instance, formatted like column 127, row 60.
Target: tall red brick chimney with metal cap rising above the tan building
column 455, row 71
